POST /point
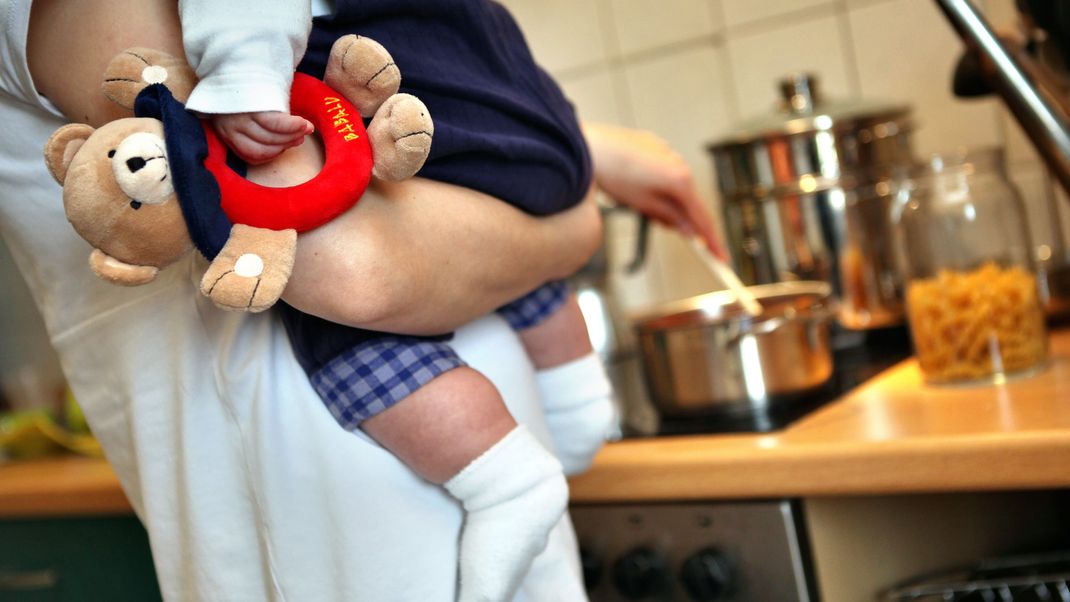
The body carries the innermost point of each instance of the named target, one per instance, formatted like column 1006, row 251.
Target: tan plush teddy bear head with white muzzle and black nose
column 117, row 179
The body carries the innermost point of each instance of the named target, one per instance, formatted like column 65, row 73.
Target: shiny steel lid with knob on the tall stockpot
column 804, row 111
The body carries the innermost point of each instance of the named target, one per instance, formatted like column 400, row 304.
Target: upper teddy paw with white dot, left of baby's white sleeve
column 134, row 70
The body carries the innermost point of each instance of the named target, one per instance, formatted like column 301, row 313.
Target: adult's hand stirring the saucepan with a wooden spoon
column 640, row 171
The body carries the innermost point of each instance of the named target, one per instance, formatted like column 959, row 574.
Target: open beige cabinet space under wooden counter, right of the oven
column 863, row 546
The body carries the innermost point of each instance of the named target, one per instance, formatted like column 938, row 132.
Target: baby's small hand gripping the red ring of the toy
column 259, row 137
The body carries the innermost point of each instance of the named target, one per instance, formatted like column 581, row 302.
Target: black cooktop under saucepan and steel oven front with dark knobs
column 754, row 551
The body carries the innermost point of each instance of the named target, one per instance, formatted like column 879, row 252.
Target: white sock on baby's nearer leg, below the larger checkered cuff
column 513, row 495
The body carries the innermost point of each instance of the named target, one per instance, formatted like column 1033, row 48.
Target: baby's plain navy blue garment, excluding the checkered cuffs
column 502, row 127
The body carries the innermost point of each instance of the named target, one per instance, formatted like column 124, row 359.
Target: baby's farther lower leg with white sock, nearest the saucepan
column 576, row 393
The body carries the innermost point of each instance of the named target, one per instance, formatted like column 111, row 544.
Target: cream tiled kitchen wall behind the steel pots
column 690, row 70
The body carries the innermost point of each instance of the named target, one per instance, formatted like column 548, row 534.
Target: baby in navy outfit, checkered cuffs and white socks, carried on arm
column 502, row 128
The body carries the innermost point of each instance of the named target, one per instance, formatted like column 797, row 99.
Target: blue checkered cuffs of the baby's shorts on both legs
column 376, row 375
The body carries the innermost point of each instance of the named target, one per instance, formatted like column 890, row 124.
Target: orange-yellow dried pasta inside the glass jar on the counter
column 971, row 326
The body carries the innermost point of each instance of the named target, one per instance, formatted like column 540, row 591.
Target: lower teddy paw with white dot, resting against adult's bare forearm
column 242, row 287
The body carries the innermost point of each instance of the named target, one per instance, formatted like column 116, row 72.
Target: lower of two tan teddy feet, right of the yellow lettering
column 401, row 135
